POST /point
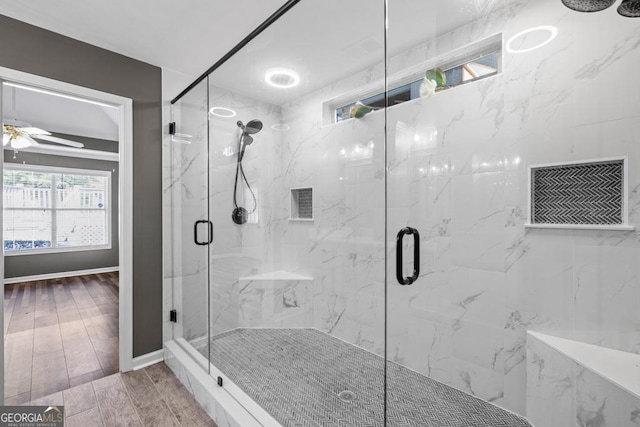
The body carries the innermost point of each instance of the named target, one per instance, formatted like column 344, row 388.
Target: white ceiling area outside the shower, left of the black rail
column 185, row 36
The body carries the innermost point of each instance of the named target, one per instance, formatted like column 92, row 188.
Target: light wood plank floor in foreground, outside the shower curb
column 152, row 397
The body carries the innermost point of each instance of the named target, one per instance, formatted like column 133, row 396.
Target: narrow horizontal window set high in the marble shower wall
column 476, row 62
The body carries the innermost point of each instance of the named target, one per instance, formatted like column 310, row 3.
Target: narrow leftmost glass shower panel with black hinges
column 191, row 228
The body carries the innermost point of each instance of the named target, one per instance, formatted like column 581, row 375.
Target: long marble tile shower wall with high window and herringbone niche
column 458, row 172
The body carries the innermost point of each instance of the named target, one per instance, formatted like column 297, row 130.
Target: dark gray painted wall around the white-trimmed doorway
column 37, row 51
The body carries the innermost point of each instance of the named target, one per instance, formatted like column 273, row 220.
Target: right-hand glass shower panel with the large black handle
column 500, row 156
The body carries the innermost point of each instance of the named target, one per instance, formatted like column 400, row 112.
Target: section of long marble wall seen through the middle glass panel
column 343, row 249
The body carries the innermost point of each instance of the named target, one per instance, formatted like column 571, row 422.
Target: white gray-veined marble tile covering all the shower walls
column 455, row 166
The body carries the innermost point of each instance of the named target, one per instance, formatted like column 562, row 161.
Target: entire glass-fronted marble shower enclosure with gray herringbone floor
column 439, row 197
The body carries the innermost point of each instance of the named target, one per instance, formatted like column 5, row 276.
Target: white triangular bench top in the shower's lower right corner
column 618, row 367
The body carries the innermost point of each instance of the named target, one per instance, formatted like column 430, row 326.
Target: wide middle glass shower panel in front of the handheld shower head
column 297, row 206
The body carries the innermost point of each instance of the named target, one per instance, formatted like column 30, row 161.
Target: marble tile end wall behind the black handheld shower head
column 253, row 248
